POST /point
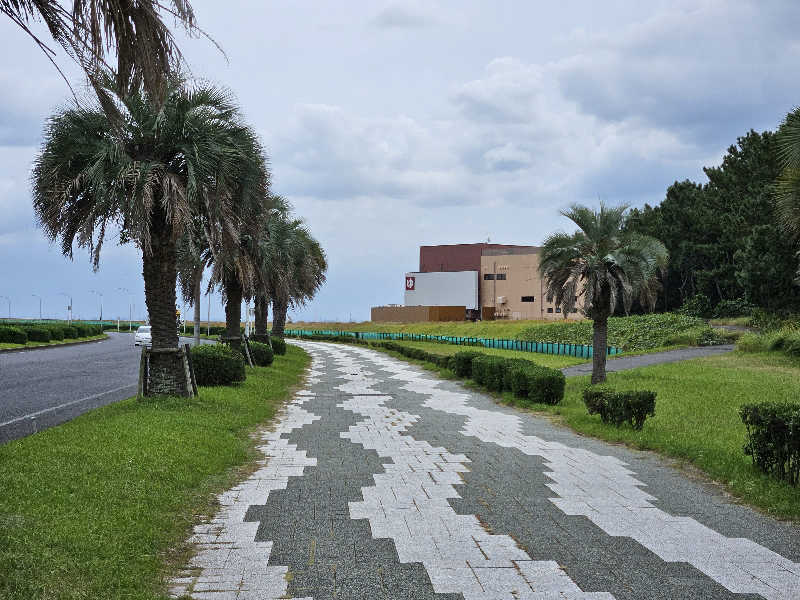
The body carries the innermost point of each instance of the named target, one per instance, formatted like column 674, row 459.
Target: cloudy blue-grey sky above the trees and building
column 395, row 124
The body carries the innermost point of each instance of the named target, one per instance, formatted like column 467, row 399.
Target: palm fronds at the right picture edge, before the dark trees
column 787, row 187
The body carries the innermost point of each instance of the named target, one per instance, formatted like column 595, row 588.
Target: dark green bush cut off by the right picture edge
column 773, row 431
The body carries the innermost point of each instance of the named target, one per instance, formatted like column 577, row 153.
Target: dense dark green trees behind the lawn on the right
column 724, row 237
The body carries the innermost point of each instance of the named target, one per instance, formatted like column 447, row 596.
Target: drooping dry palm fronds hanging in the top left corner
column 133, row 31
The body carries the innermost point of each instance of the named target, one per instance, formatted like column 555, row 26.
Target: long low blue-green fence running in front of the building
column 578, row 350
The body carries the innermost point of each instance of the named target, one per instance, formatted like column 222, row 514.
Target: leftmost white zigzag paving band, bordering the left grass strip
column 230, row 564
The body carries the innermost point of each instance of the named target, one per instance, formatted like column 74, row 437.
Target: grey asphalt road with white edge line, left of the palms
column 44, row 387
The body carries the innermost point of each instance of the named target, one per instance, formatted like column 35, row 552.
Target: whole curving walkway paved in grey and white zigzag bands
column 382, row 481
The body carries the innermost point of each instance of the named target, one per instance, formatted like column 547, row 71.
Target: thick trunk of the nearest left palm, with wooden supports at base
column 166, row 371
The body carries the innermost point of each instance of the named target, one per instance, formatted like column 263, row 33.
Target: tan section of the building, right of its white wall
column 510, row 283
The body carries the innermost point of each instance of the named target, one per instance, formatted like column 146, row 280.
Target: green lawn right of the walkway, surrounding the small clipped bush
column 697, row 418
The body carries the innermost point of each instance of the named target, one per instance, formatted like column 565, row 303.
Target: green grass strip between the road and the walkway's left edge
column 100, row 507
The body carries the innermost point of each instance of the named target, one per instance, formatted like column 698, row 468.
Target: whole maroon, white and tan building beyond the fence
column 486, row 281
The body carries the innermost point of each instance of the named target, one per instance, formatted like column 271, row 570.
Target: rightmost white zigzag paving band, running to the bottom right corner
column 605, row 491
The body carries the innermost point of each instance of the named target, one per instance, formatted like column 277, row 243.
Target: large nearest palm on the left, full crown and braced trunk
column 152, row 175
